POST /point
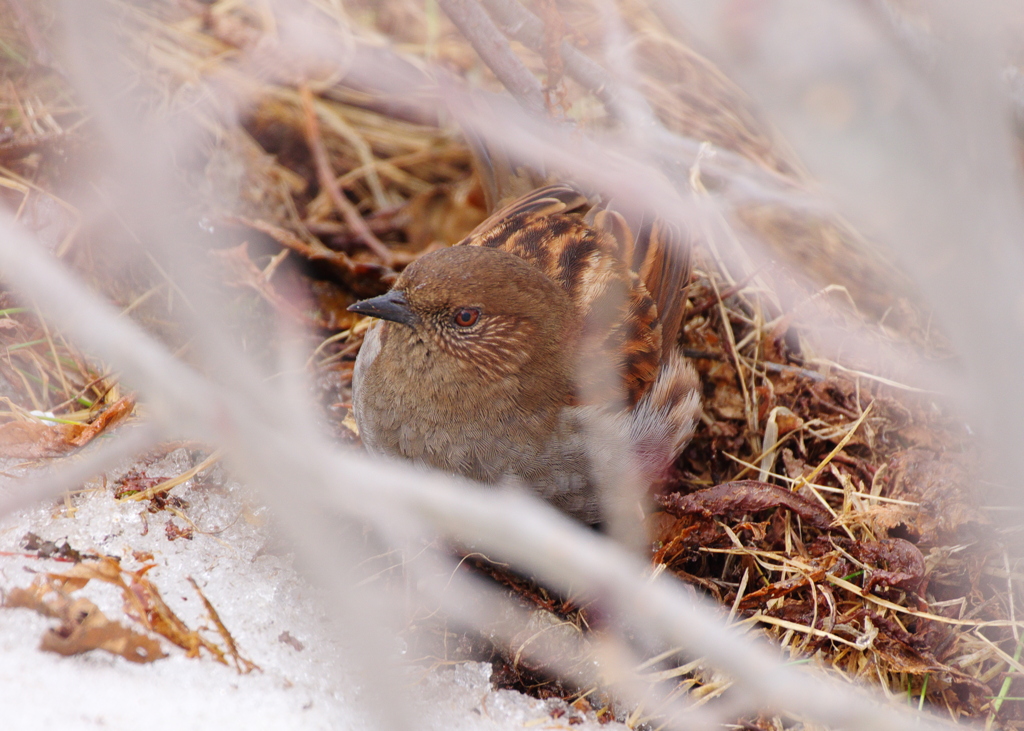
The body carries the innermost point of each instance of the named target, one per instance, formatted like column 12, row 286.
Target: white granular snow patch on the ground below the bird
column 260, row 597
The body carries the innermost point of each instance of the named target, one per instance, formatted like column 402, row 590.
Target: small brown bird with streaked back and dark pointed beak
column 520, row 353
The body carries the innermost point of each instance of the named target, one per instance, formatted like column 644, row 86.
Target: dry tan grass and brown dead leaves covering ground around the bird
column 911, row 586
